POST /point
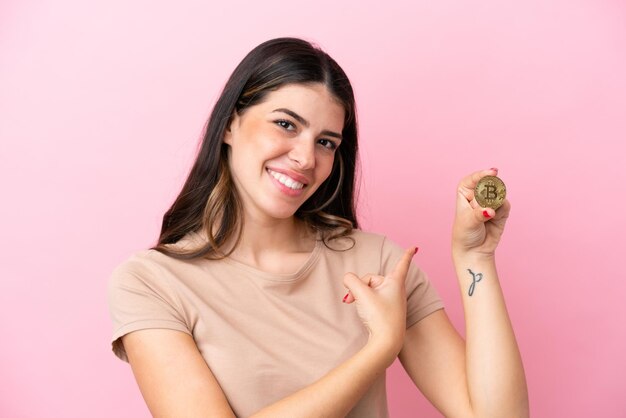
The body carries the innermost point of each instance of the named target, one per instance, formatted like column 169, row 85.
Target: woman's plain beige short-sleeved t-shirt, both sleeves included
column 264, row 336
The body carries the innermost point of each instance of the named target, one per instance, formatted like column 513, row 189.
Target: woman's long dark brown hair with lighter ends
column 209, row 201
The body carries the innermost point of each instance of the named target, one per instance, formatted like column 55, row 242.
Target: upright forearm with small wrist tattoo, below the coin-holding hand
column 495, row 374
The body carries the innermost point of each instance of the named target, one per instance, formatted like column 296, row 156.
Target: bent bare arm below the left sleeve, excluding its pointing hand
column 175, row 381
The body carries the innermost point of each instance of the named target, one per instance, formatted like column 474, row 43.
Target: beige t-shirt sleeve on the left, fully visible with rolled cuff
column 140, row 297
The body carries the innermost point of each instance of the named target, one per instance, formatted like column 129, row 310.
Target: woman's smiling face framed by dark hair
column 282, row 150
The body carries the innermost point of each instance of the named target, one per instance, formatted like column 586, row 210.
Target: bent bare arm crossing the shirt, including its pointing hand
column 175, row 381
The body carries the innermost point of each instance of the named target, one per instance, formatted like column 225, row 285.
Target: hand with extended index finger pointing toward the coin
column 381, row 304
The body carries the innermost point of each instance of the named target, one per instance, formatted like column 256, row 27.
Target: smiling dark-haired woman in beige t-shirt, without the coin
column 263, row 298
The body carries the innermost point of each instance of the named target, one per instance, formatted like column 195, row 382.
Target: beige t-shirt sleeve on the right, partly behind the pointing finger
column 422, row 297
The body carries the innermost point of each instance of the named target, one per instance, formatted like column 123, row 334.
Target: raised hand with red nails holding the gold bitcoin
column 477, row 230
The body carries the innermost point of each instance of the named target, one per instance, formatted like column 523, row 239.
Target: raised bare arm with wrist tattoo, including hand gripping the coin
column 484, row 376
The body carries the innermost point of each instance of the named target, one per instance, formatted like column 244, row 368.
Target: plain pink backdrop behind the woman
column 102, row 104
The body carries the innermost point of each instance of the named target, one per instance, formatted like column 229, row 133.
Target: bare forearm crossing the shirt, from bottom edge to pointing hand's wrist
column 337, row 392
